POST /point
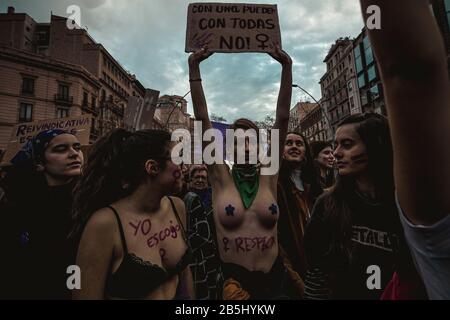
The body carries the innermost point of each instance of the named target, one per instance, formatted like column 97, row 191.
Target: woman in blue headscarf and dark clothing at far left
column 36, row 217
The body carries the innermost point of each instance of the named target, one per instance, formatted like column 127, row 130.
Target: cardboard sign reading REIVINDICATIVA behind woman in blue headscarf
column 22, row 132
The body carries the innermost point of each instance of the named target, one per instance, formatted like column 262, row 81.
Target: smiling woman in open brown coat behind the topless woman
column 298, row 188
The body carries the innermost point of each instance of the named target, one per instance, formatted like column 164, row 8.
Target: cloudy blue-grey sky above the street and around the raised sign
column 148, row 36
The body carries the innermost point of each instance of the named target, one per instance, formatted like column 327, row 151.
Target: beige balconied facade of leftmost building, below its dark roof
column 48, row 74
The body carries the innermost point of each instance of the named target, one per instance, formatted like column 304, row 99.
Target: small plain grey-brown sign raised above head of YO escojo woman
column 140, row 113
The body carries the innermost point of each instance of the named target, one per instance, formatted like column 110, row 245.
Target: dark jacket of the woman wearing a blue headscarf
column 35, row 221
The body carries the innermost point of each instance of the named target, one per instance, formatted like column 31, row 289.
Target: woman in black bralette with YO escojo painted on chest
column 133, row 244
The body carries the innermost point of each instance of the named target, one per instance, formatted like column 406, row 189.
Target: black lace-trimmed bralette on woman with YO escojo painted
column 136, row 278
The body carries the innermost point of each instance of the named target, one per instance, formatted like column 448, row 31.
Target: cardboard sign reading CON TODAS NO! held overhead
column 232, row 27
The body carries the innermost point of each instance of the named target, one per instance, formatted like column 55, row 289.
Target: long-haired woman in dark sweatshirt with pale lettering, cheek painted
column 354, row 238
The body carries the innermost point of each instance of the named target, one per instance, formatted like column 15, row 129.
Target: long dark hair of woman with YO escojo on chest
column 114, row 169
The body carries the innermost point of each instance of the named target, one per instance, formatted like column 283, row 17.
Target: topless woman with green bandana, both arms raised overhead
column 245, row 201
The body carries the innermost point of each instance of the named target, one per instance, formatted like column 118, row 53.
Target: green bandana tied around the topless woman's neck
column 246, row 181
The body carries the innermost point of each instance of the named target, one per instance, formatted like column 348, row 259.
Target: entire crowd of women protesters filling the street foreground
column 365, row 216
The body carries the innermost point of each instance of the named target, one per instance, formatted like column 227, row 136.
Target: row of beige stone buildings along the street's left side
column 52, row 54
